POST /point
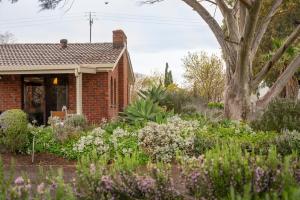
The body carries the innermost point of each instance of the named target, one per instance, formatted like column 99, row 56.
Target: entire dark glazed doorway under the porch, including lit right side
column 43, row 94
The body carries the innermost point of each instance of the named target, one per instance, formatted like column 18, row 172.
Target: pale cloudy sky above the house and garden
column 159, row 33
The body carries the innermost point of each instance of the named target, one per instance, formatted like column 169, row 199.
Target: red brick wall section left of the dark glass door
column 10, row 92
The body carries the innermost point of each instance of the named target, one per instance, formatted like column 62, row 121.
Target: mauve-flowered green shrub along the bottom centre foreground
column 96, row 181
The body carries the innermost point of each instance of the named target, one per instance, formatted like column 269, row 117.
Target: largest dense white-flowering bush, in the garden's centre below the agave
column 162, row 141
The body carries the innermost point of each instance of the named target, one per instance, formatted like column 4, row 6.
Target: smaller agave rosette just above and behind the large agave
column 157, row 94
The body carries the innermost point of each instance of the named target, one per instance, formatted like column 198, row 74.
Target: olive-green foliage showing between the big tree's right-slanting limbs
column 280, row 27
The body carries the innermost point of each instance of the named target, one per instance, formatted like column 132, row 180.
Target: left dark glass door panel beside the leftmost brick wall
column 34, row 98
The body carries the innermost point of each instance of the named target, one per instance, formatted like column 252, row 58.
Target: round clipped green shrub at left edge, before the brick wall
column 14, row 134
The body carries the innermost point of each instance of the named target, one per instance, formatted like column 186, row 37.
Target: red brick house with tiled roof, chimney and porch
column 93, row 79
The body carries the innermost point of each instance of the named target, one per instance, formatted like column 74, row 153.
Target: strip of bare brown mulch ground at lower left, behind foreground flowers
column 22, row 164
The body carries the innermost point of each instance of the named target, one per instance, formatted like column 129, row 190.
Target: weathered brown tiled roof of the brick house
column 53, row 54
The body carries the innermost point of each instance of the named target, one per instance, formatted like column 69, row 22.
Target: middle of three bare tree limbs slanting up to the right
column 268, row 66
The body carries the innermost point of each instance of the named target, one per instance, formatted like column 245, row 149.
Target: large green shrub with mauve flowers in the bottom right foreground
column 227, row 167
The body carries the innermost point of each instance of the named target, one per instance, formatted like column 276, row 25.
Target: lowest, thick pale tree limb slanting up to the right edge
column 281, row 82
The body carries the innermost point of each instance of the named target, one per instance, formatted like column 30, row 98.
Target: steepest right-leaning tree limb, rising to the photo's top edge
column 264, row 26
